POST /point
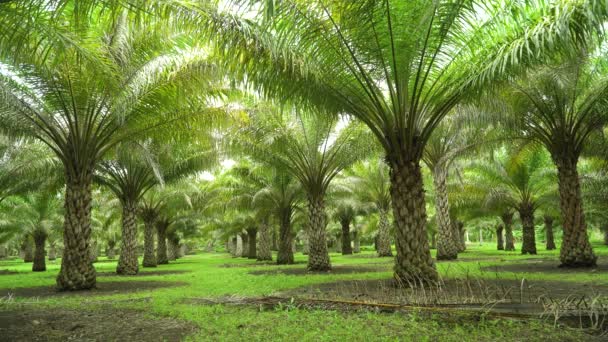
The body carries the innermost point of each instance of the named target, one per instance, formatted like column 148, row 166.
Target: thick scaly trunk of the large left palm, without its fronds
column 77, row 271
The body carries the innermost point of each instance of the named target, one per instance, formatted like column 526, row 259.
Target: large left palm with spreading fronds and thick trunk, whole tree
column 112, row 80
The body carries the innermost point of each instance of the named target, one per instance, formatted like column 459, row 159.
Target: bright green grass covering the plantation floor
column 207, row 277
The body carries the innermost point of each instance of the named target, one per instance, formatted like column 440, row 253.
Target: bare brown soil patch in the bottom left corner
column 106, row 324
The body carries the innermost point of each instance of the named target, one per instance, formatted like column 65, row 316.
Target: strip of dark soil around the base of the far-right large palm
column 546, row 266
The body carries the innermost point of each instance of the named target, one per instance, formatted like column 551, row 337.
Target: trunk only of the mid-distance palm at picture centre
column 318, row 257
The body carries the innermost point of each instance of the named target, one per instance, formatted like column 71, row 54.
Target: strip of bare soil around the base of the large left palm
column 103, row 288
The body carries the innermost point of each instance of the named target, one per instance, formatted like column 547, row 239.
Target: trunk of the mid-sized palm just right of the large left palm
column 127, row 262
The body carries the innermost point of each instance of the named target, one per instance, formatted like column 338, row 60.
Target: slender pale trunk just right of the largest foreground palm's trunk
column 446, row 242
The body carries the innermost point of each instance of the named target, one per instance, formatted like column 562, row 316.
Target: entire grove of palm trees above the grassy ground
column 141, row 131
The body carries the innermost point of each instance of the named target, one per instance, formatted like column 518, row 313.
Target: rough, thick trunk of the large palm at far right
column 576, row 249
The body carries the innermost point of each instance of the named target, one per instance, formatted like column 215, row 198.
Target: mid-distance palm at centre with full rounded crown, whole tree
column 308, row 147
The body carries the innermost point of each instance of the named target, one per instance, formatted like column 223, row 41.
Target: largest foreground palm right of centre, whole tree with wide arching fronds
column 399, row 67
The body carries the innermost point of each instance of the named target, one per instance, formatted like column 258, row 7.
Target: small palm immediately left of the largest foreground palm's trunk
column 370, row 182
